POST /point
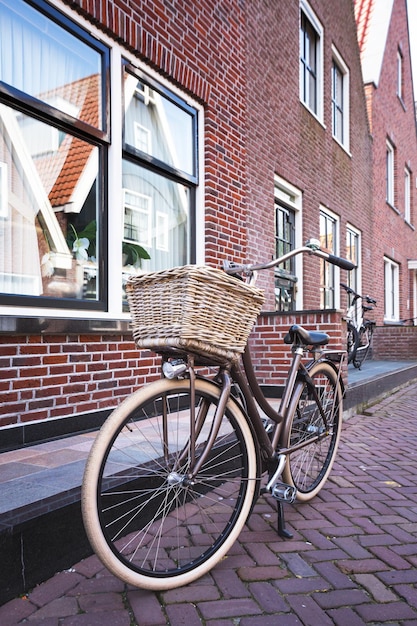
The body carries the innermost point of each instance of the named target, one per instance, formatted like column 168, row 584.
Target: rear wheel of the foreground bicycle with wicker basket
column 308, row 468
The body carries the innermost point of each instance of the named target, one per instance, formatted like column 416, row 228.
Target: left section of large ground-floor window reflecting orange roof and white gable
column 53, row 136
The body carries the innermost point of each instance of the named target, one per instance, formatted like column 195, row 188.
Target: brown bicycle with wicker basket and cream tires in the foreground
column 176, row 469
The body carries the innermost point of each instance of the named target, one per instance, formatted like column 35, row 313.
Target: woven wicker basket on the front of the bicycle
column 194, row 309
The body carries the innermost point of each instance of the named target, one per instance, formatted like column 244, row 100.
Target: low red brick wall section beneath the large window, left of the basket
column 50, row 376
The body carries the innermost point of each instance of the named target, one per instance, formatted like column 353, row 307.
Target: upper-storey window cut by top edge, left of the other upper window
column 311, row 73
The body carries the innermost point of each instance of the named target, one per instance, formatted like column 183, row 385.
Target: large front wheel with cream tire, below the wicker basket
column 147, row 523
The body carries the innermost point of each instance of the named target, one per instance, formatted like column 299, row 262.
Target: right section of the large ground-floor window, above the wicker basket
column 159, row 174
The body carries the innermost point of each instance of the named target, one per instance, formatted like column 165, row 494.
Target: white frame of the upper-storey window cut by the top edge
column 318, row 28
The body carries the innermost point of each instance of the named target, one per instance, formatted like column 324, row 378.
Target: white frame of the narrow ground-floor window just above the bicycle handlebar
column 291, row 195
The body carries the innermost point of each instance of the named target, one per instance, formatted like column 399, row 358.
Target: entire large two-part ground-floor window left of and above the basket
column 77, row 216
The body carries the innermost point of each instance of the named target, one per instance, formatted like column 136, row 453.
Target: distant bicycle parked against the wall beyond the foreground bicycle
column 360, row 330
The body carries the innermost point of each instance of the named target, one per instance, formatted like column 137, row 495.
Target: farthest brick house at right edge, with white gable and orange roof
column 385, row 54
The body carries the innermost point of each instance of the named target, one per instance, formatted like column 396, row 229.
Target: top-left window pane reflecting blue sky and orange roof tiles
column 44, row 60
